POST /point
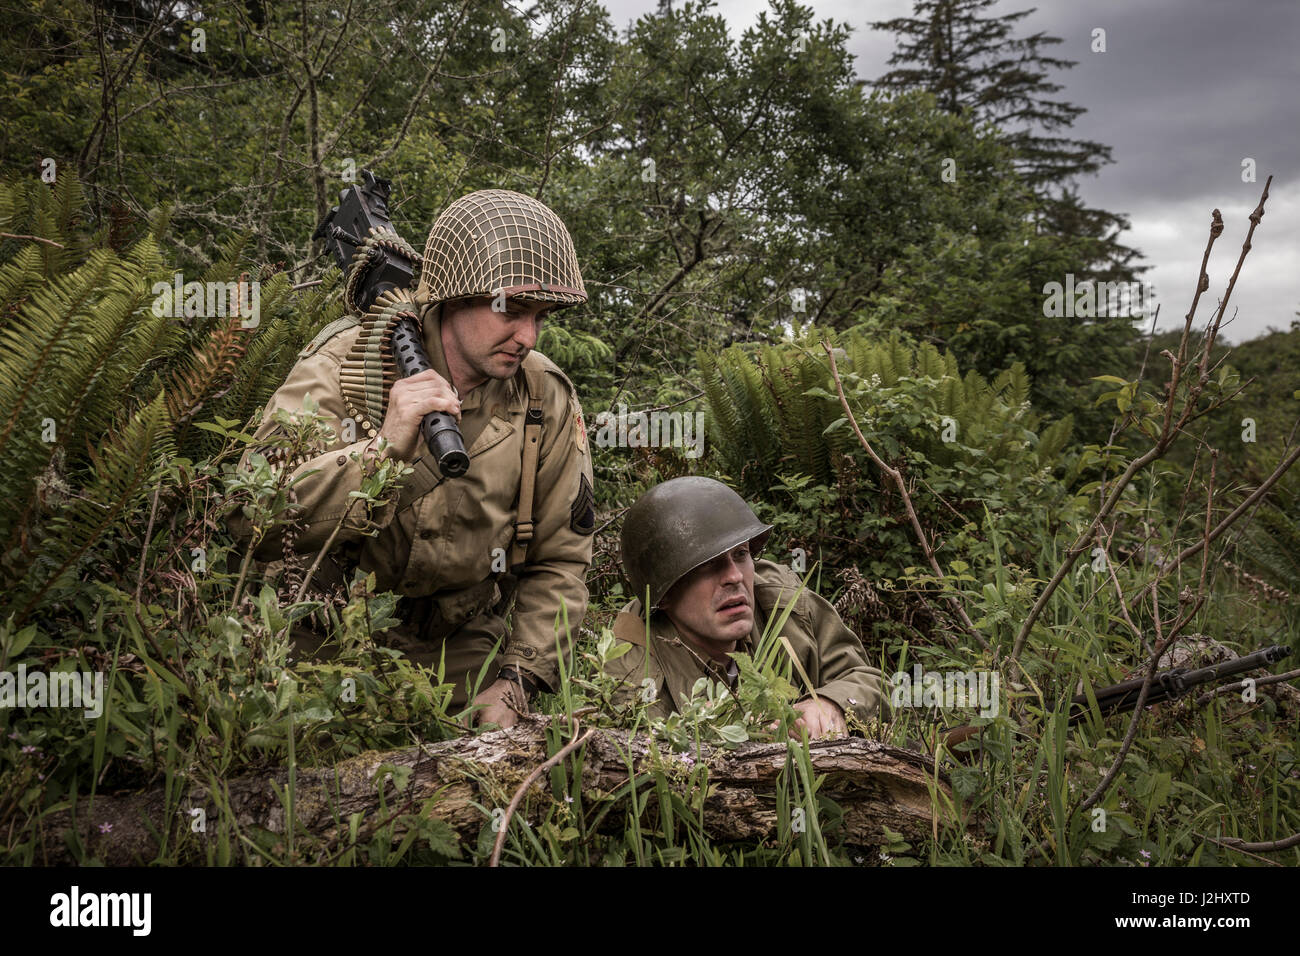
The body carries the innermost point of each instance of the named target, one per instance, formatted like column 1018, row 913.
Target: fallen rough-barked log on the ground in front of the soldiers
column 877, row 786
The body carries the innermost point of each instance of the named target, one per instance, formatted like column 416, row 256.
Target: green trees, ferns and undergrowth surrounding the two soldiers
column 736, row 207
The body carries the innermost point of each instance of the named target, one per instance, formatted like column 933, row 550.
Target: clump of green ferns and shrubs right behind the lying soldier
column 983, row 457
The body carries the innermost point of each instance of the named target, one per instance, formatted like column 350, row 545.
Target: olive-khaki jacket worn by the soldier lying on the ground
column 830, row 654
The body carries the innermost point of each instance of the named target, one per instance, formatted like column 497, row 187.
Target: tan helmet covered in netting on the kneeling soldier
column 496, row 241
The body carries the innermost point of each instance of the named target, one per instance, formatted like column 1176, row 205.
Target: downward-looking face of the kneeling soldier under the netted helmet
column 491, row 344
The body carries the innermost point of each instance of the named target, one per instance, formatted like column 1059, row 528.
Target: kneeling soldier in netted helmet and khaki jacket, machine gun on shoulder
column 519, row 524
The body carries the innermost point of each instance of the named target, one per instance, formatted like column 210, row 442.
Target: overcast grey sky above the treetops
column 1185, row 93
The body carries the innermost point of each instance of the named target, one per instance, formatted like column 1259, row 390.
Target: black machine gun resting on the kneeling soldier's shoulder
column 375, row 259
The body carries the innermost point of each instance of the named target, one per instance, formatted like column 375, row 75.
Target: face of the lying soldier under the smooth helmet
column 713, row 607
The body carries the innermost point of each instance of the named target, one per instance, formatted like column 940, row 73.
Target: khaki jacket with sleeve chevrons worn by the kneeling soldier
column 452, row 538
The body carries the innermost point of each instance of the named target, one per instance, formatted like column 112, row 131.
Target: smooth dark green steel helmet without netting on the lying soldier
column 681, row 525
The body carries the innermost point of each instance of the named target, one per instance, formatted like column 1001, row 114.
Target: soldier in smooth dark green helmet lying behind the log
column 690, row 551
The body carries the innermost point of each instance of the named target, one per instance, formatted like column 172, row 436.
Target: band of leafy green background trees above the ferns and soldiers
column 717, row 189
